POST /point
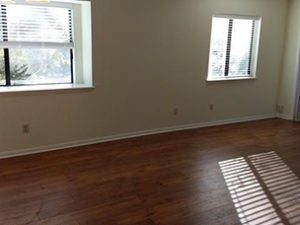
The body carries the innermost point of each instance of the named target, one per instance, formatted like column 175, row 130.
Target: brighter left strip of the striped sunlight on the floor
column 251, row 202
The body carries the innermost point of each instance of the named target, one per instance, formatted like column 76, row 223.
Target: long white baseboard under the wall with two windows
column 40, row 149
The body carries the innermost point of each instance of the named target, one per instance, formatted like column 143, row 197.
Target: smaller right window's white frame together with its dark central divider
column 254, row 53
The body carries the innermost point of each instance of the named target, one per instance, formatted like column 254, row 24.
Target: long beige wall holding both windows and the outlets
column 149, row 57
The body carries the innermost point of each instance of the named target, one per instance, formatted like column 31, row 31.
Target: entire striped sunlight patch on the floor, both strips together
column 263, row 188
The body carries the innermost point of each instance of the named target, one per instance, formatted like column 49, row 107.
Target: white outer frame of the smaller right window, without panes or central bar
column 255, row 48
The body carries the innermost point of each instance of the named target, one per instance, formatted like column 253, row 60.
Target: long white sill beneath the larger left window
column 41, row 88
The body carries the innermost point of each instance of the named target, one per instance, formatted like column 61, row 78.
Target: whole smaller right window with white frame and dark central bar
column 233, row 47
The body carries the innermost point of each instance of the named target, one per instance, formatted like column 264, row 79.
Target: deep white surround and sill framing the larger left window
column 82, row 35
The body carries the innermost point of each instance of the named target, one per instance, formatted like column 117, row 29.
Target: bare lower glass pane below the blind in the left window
column 40, row 66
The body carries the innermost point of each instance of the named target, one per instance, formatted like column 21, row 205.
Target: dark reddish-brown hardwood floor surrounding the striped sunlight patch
column 167, row 179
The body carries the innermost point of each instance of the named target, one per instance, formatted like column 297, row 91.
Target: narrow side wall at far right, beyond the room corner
column 289, row 76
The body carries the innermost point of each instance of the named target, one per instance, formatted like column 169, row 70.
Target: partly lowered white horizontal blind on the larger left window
column 30, row 26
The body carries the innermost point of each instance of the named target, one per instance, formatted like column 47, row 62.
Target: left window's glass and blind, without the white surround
column 36, row 44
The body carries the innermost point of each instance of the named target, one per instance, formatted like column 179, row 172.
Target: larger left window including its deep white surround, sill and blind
column 45, row 46
